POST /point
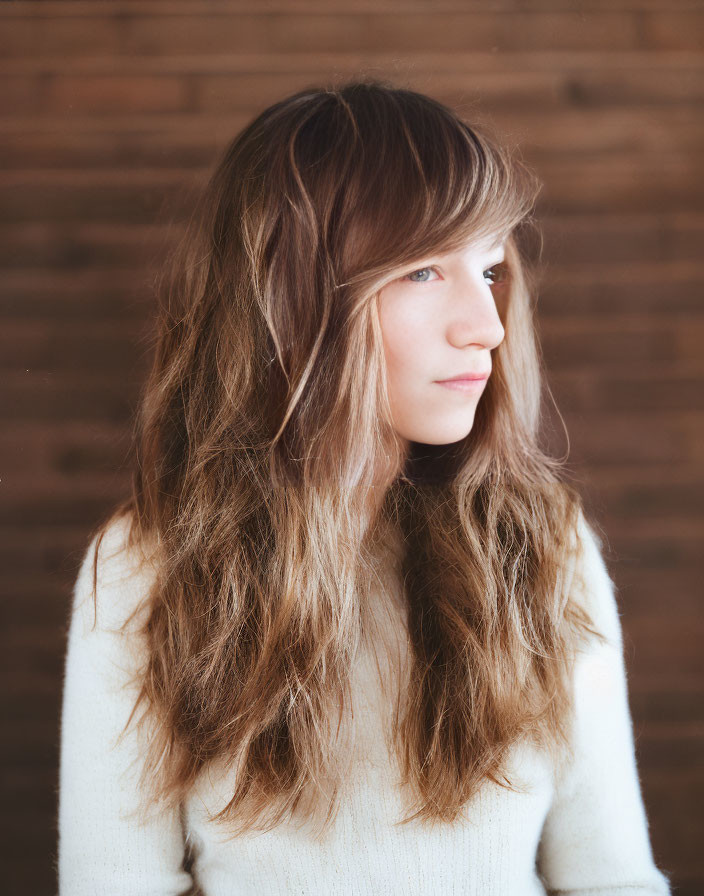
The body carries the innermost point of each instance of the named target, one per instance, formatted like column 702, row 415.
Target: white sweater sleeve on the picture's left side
column 104, row 849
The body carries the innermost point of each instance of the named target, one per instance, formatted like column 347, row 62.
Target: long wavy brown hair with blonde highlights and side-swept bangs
column 268, row 478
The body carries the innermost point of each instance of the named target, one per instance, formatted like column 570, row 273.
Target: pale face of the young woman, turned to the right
column 439, row 320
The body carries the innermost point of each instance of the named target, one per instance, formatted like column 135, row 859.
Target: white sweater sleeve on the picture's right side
column 595, row 839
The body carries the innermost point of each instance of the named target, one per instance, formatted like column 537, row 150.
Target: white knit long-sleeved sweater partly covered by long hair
column 581, row 830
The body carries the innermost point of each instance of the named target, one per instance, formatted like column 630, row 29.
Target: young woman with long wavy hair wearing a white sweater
column 352, row 632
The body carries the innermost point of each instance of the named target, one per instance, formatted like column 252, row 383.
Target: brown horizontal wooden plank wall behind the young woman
column 113, row 111
